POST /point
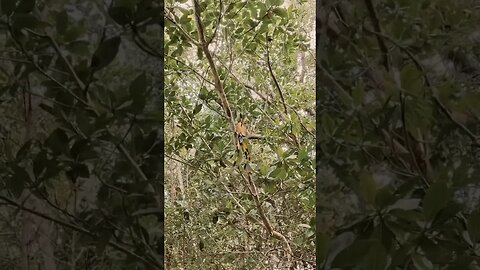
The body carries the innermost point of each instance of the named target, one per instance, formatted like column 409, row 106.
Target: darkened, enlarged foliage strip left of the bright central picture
column 81, row 116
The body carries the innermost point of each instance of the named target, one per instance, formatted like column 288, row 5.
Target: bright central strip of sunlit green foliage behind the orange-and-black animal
column 225, row 59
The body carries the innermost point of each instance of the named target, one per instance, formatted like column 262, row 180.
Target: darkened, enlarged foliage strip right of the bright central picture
column 398, row 134
